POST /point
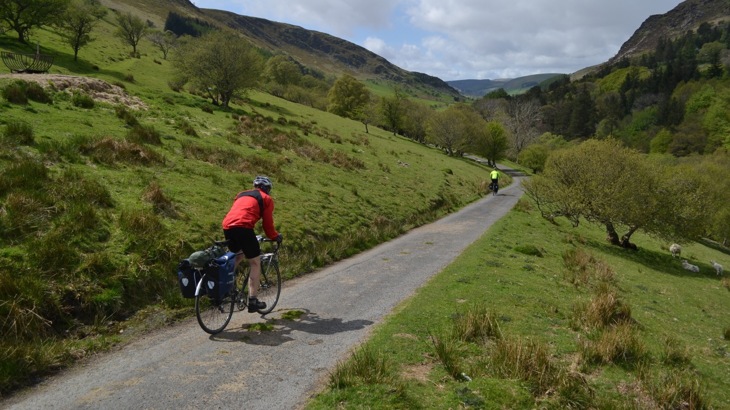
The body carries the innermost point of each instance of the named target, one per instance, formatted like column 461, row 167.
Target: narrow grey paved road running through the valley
column 181, row 367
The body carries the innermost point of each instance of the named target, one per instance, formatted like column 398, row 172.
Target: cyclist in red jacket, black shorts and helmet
column 248, row 208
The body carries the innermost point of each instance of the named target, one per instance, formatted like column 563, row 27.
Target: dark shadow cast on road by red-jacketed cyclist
column 275, row 331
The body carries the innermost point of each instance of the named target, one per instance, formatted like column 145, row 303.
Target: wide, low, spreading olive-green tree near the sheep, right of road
column 621, row 189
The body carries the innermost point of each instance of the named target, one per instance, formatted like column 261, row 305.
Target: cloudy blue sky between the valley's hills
column 468, row 39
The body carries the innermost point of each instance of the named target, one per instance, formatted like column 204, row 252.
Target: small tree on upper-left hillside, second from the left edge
column 78, row 21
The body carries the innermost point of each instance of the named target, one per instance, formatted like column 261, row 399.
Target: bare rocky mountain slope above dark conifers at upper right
column 688, row 15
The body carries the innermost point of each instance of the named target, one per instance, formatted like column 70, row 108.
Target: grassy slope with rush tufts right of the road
column 542, row 315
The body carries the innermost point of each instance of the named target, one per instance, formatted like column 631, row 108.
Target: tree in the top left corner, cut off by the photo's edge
column 24, row 15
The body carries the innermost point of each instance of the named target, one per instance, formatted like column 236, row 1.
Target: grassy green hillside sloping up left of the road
column 104, row 189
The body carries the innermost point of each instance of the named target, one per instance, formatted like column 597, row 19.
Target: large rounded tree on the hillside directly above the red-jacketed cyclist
column 221, row 64
